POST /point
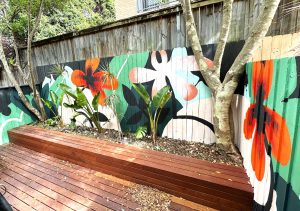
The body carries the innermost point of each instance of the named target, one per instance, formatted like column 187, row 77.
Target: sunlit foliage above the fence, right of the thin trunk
column 76, row 15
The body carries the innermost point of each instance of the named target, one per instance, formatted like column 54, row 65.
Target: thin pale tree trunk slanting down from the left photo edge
column 13, row 80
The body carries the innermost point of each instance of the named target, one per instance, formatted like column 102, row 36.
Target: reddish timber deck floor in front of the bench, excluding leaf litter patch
column 35, row 181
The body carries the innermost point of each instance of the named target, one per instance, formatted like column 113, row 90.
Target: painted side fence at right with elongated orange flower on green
column 268, row 117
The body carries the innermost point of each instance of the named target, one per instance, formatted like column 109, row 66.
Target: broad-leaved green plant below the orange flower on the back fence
column 90, row 112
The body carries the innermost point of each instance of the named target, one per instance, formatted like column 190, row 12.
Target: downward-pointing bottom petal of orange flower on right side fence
column 258, row 156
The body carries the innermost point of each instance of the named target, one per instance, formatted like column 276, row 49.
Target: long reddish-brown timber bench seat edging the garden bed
column 215, row 185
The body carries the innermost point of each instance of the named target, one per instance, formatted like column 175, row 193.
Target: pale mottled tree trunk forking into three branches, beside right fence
column 223, row 91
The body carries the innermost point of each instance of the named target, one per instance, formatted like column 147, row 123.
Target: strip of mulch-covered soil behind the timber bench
column 201, row 151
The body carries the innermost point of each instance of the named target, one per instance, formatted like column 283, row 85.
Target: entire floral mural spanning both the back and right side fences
column 266, row 109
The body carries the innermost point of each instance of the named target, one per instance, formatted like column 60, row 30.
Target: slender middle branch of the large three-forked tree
column 227, row 16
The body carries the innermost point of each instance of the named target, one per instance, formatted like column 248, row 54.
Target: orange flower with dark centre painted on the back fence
column 96, row 81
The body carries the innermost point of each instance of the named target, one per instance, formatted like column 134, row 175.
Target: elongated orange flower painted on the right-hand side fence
column 264, row 124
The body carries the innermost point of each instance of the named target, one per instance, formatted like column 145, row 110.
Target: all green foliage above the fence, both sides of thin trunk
column 59, row 17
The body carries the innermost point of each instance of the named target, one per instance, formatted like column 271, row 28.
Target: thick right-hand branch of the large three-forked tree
column 257, row 34
